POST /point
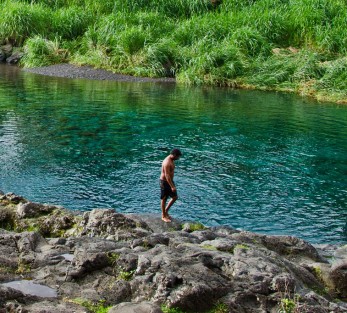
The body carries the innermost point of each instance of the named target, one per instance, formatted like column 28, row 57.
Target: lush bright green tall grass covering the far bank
column 293, row 45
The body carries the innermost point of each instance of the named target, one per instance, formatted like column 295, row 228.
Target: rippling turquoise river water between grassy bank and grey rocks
column 266, row 162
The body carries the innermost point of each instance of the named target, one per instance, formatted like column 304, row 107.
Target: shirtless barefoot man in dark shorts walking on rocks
column 167, row 185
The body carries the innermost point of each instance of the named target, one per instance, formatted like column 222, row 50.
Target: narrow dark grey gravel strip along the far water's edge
column 87, row 72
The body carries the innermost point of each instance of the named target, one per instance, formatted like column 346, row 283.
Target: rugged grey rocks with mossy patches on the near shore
column 54, row 260
